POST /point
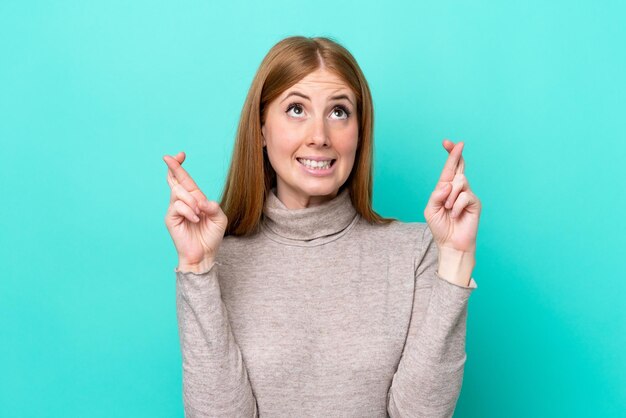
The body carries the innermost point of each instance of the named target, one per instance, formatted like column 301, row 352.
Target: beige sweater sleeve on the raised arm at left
column 215, row 380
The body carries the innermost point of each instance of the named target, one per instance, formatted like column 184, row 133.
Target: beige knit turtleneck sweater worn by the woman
column 322, row 314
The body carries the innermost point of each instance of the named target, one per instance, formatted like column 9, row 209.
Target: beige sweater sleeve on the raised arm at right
column 428, row 380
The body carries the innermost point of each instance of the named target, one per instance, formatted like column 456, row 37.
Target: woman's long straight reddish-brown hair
column 251, row 177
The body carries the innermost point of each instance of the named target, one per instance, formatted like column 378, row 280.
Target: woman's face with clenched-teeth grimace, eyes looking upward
column 311, row 135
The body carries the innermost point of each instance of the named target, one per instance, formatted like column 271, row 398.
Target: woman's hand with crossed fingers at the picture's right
column 453, row 211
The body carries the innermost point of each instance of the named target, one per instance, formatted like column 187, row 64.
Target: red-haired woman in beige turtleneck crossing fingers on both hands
column 294, row 297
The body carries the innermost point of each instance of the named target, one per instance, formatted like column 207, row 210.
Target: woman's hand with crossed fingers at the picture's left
column 196, row 224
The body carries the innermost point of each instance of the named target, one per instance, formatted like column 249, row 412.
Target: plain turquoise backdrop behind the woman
column 94, row 93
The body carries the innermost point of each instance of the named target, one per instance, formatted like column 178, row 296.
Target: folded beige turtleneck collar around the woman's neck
column 314, row 225
